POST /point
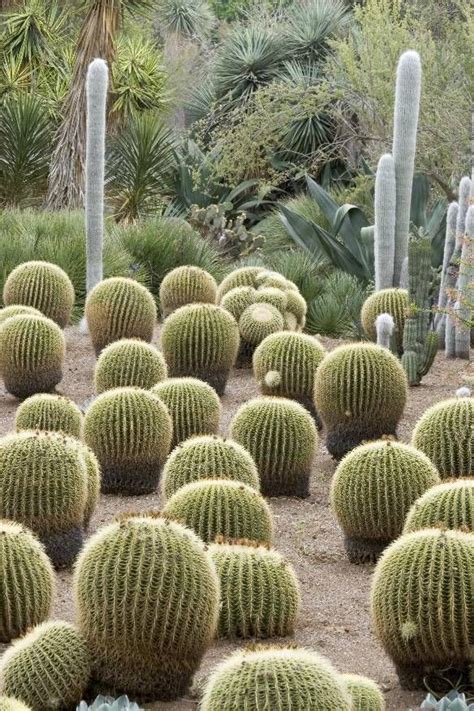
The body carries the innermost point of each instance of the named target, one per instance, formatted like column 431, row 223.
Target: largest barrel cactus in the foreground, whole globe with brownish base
column 147, row 628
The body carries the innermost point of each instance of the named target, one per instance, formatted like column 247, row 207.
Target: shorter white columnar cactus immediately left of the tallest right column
column 385, row 220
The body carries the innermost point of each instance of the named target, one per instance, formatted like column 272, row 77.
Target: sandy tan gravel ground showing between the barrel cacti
column 335, row 616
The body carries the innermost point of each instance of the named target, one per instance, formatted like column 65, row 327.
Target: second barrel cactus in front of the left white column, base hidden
column 129, row 363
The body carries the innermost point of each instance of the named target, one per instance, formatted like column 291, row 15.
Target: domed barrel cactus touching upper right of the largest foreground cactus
column 222, row 508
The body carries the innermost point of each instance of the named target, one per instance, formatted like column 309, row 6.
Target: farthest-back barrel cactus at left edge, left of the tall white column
column 43, row 286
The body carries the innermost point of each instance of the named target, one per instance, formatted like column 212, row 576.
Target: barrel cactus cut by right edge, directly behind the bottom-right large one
column 448, row 505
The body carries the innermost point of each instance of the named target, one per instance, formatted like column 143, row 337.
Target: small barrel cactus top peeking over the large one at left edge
column 54, row 413
